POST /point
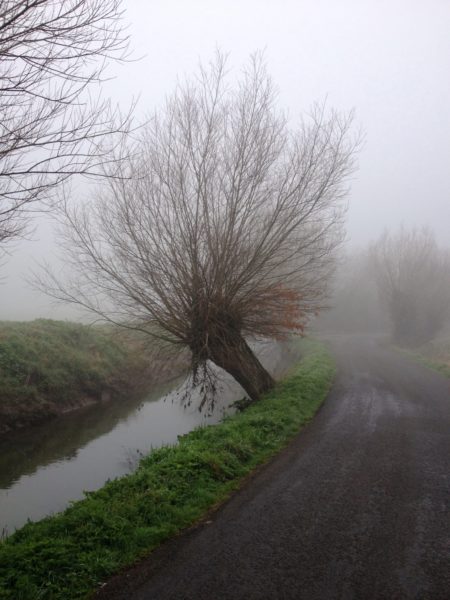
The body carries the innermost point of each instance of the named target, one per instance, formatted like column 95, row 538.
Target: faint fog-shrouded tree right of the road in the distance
column 413, row 276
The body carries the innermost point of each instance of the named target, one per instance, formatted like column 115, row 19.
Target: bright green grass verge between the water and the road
column 67, row 556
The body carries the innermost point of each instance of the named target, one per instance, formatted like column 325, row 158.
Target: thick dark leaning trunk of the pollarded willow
column 236, row 358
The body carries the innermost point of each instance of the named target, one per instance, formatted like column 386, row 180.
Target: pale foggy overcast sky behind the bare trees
column 389, row 60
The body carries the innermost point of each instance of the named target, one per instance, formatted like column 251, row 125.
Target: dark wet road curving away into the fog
column 357, row 507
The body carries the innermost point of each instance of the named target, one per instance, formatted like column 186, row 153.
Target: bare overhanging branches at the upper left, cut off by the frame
column 52, row 53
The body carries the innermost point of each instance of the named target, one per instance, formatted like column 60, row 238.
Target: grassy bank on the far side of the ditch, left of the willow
column 49, row 367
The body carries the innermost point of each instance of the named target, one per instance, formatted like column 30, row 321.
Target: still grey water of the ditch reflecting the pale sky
column 45, row 467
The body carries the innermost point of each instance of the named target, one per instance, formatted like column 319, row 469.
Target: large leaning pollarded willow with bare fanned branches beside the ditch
column 223, row 229
